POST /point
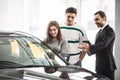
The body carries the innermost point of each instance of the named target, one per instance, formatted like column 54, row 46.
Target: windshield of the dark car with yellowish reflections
column 21, row 51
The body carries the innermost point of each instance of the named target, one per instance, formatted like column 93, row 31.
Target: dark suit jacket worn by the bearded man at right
column 103, row 48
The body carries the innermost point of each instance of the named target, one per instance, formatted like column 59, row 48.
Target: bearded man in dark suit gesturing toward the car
column 103, row 47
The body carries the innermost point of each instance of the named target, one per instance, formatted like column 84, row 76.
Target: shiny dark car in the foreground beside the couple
column 25, row 57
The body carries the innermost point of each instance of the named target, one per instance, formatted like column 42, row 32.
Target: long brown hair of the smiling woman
column 48, row 36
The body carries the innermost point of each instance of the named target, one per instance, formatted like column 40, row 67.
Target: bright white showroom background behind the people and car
column 33, row 16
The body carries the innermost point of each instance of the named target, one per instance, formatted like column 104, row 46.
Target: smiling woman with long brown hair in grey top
column 54, row 38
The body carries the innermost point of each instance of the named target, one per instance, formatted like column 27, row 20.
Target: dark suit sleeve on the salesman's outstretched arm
column 104, row 40
